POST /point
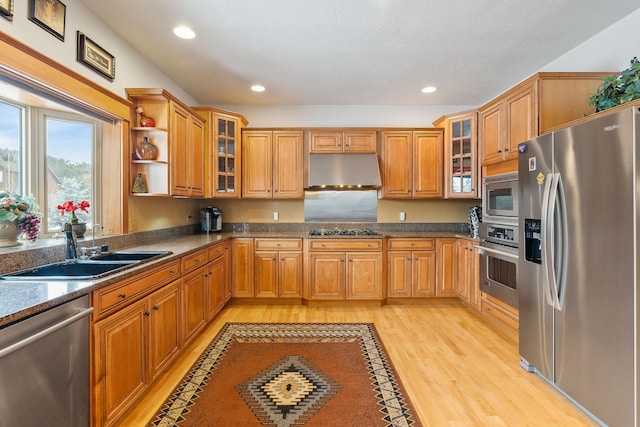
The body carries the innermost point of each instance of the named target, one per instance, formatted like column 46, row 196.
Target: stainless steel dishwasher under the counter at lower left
column 44, row 368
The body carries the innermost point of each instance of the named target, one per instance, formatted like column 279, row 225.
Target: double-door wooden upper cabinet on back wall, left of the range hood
column 272, row 164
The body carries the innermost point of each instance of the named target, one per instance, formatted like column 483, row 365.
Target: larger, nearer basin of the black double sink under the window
column 69, row 270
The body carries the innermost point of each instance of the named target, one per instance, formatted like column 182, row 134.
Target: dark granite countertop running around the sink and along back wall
column 21, row 299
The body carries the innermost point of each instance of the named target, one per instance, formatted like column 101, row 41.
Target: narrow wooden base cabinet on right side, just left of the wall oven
column 468, row 273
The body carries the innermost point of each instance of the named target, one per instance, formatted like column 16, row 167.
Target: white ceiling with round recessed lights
column 355, row 52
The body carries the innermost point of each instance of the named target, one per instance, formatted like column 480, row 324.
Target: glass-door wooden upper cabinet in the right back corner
column 461, row 171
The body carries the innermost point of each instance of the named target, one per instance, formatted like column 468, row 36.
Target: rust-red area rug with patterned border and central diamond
column 291, row 374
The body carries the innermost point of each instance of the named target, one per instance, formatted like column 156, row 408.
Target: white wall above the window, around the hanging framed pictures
column 131, row 69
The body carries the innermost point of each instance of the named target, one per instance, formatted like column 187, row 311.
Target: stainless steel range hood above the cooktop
column 343, row 171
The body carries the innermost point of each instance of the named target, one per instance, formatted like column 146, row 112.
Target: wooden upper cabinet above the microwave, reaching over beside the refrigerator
column 533, row 107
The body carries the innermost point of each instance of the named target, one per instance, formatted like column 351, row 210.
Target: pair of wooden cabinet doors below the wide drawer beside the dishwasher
column 131, row 348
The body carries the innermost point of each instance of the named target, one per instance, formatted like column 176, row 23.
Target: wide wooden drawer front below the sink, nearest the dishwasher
column 120, row 294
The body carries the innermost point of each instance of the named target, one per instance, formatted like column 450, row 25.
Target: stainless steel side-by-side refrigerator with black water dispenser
column 577, row 277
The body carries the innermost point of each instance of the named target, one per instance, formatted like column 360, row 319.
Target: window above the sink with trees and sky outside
column 53, row 155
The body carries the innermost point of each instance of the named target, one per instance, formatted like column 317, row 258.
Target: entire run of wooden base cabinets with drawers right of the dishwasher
column 142, row 324
